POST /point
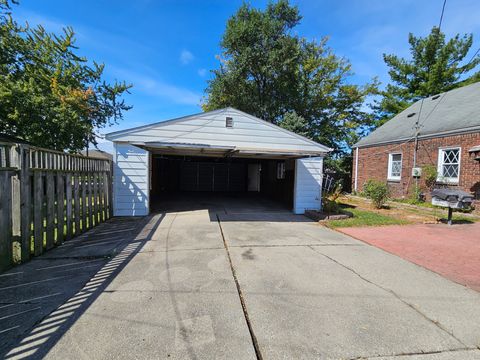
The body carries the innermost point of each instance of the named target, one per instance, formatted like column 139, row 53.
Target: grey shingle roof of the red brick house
column 450, row 112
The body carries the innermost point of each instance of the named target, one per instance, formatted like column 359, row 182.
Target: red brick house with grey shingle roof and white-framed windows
column 448, row 139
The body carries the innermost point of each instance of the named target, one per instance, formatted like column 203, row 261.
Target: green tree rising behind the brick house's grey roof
column 435, row 67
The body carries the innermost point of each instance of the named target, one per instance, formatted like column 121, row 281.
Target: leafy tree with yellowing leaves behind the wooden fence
column 50, row 96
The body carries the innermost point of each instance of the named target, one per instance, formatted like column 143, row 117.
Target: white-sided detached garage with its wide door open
column 215, row 153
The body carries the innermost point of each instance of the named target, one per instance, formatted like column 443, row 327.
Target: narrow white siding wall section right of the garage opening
column 308, row 181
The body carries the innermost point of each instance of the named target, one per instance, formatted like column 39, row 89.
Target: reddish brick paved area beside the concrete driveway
column 451, row 251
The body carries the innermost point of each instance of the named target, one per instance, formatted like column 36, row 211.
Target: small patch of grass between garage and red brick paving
column 365, row 218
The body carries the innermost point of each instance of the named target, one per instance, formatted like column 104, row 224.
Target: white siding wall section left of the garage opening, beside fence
column 131, row 181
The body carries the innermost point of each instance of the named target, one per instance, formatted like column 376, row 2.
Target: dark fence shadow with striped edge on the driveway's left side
column 54, row 290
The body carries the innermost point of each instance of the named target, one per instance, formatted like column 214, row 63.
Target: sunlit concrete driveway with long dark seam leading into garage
column 232, row 282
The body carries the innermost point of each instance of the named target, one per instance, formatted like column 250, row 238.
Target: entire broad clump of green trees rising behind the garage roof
column 269, row 71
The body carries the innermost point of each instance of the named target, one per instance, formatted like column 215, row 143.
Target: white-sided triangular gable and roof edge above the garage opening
column 209, row 133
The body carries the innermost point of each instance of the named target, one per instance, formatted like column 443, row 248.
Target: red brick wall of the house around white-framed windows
column 373, row 163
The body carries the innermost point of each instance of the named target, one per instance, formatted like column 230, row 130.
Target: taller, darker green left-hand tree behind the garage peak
column 258, row 60
